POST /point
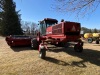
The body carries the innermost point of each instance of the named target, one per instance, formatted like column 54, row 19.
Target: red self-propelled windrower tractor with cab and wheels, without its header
column 58, row 34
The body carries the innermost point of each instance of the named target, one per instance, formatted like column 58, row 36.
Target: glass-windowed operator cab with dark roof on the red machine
column 47, row 22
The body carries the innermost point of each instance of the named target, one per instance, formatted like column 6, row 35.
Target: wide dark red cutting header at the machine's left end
column 16, row 40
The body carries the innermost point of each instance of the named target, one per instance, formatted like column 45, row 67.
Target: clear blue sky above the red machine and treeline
column 36, row 10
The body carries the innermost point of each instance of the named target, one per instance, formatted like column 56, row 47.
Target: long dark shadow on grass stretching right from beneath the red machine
column 88, row 55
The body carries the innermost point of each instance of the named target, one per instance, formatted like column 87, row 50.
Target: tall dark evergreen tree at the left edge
column 10, row 19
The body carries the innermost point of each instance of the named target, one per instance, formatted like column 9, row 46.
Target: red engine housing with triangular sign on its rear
column 62, row 32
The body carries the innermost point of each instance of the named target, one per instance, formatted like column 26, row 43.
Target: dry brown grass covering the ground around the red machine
column 59, row 61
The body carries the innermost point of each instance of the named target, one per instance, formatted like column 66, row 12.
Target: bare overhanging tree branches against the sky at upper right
column 79, row 7
